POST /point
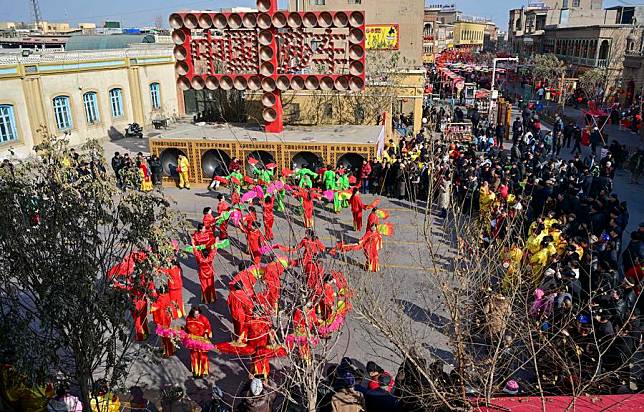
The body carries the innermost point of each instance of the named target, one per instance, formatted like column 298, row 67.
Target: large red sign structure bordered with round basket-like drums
column 271, row 51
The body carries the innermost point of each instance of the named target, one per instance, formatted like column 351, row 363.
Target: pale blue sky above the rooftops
column 144, row 12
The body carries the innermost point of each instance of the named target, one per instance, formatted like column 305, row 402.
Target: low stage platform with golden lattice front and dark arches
column 210, row 147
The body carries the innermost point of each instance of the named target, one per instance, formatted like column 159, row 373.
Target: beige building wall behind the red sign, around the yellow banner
column 406, row 13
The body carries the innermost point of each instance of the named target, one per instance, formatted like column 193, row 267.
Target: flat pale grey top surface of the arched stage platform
column 352, row 134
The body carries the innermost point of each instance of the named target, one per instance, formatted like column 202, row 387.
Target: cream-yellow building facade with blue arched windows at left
column 82, row 95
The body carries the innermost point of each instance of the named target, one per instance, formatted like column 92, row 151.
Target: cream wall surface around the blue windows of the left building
column 31, row 88
